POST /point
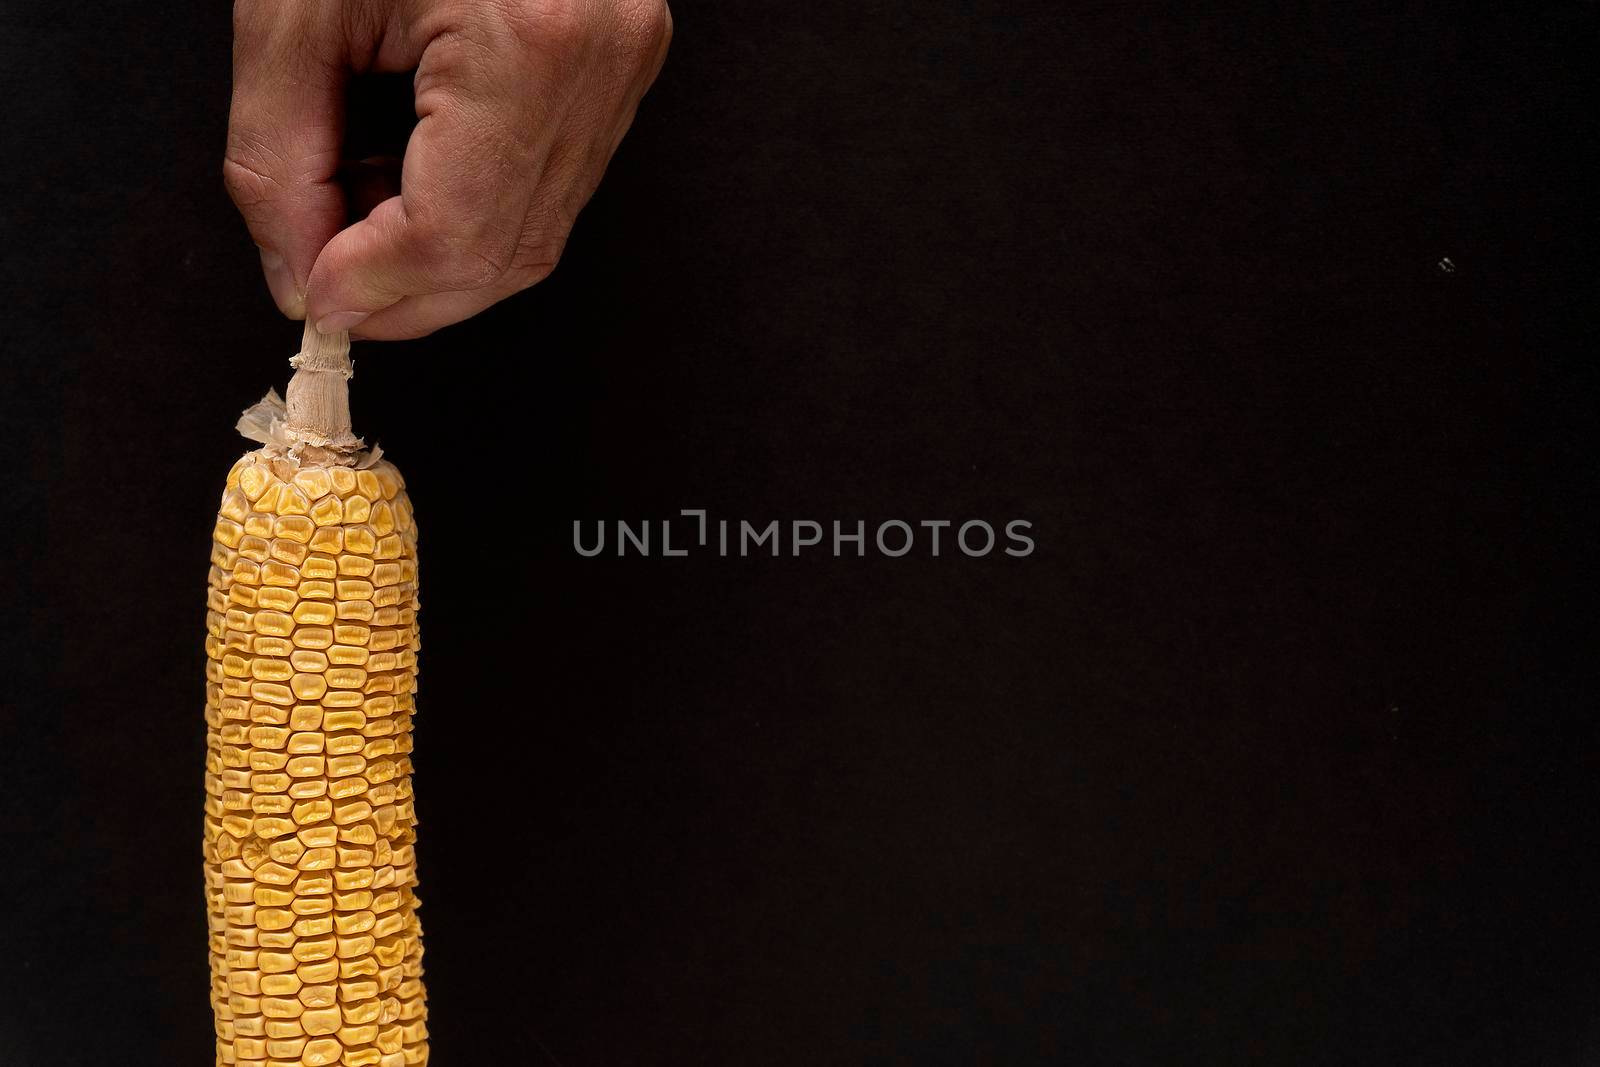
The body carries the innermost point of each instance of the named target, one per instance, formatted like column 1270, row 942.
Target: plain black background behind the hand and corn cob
column 1279, row 749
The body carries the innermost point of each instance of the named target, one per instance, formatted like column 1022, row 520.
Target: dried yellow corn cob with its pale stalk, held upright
column 311, row 677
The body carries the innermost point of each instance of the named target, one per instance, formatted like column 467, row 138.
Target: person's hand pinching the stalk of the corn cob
column 521, row 106
